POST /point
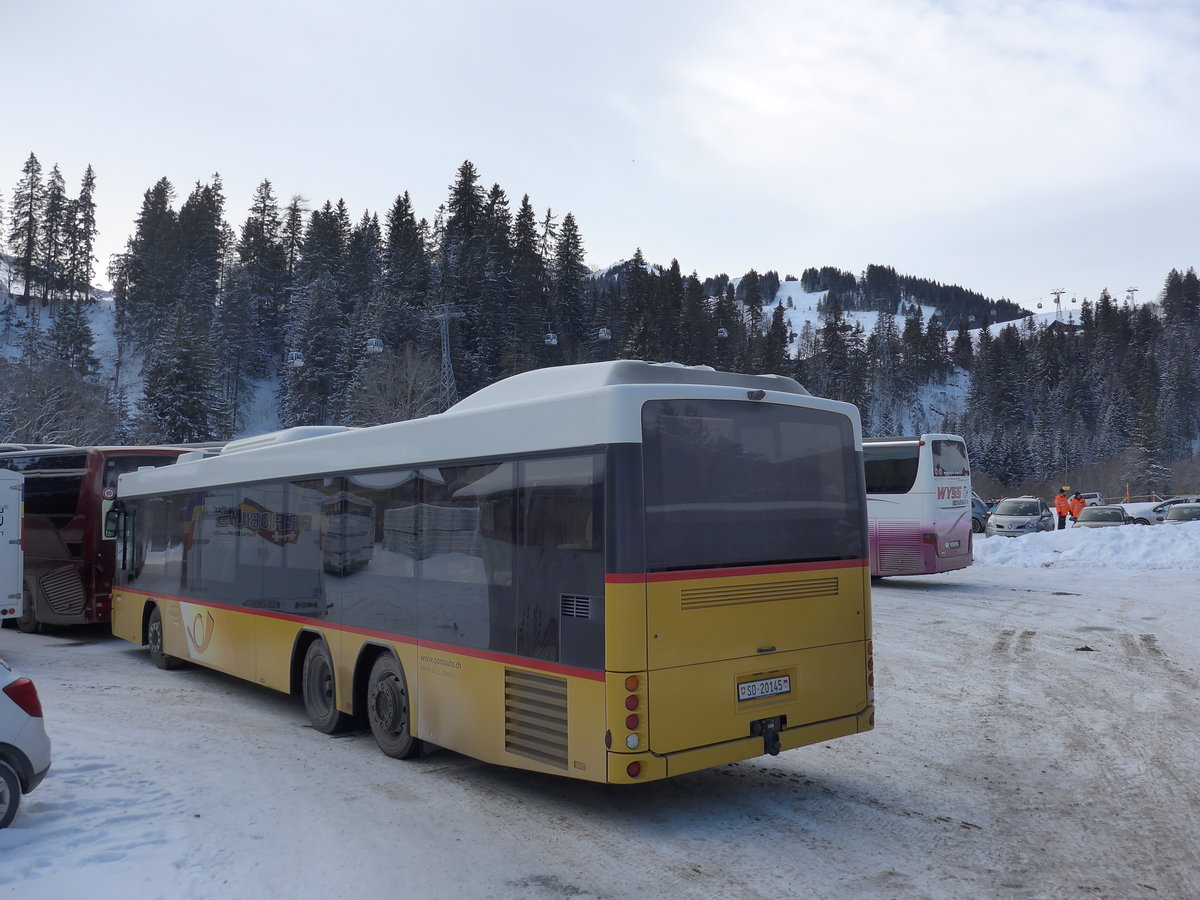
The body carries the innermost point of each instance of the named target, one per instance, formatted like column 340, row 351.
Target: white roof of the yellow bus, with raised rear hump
column 547, row 410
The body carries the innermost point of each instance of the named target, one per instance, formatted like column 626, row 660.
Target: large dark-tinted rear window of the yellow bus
column 739, row 483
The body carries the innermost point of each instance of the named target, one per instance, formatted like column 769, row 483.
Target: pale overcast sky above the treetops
column 1012, row 148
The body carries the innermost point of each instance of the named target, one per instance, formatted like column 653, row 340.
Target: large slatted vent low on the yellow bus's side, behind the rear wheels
column 536, row 717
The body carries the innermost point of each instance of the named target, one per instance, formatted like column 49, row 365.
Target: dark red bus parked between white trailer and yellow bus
column 69, row 563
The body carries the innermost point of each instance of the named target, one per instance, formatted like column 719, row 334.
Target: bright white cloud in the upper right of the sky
column 897, row 106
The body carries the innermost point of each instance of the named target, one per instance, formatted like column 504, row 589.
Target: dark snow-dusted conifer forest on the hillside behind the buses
column 365, row 321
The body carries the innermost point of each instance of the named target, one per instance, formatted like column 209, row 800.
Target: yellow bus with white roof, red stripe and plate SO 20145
column 616, row 572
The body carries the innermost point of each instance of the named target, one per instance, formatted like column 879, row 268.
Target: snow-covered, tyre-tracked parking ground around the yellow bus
column 1036, row 739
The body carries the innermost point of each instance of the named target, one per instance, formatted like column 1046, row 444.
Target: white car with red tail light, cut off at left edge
column 25, row 746
